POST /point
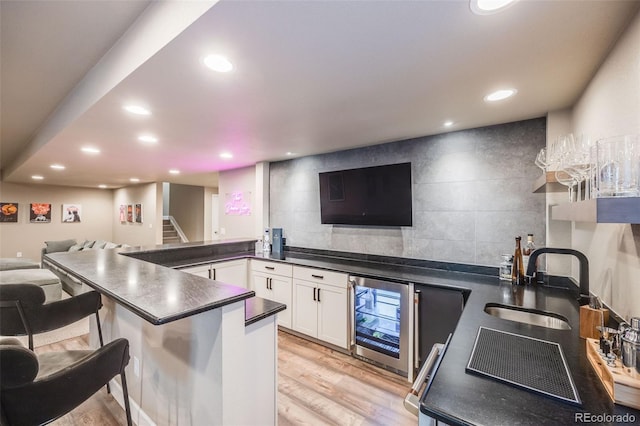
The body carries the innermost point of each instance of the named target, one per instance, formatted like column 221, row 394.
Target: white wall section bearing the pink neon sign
column 241, row 181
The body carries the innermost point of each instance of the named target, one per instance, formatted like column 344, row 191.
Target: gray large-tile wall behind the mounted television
column 471, row 196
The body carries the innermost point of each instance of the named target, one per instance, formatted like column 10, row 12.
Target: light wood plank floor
column 316, row 385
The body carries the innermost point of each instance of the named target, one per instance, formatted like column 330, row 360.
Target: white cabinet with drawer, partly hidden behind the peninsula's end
column 272, row 280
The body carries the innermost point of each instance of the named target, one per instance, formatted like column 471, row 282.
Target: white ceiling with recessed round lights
column 309, row 77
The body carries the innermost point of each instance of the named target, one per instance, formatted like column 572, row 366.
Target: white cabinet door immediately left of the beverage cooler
column 332, row 315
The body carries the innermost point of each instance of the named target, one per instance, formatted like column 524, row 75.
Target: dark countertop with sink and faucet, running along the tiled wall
column 457, row 397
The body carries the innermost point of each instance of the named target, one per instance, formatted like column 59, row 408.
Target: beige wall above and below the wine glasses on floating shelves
column 611, row 106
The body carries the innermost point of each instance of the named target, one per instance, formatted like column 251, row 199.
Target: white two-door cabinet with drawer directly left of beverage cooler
column 320, row 305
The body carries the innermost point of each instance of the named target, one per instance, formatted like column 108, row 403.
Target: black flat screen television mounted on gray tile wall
column 374, row 196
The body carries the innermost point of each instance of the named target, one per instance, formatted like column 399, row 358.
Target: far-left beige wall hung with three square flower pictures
column 28, row 238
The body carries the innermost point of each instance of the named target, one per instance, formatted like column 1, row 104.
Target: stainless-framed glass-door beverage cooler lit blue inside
column 380, row 322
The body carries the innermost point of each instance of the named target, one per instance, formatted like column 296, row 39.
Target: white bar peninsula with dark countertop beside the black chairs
column 197, row 355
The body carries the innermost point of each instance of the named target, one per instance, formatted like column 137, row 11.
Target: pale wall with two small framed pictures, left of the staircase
column 149, row 232
